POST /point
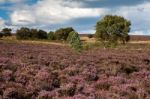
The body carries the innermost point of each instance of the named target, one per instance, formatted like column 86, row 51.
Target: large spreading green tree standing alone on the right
column 112, row 29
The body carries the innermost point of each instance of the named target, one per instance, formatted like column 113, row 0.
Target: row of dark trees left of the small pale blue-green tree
column 25, row 33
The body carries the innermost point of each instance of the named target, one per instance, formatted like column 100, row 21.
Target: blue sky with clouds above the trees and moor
column 82, row 15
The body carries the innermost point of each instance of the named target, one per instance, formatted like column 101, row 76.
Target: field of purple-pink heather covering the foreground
column 44, row 71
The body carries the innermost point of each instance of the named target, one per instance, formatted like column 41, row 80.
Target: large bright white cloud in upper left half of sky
column 53, row 12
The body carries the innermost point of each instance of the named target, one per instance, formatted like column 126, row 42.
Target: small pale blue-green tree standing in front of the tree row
column 74, row 41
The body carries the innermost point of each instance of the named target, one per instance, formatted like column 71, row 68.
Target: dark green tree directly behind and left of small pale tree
column 62, row 33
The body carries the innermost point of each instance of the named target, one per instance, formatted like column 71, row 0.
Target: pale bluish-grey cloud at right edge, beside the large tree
column 139, row 16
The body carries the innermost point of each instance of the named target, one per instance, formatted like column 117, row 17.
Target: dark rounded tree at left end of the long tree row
column 23, row 33
